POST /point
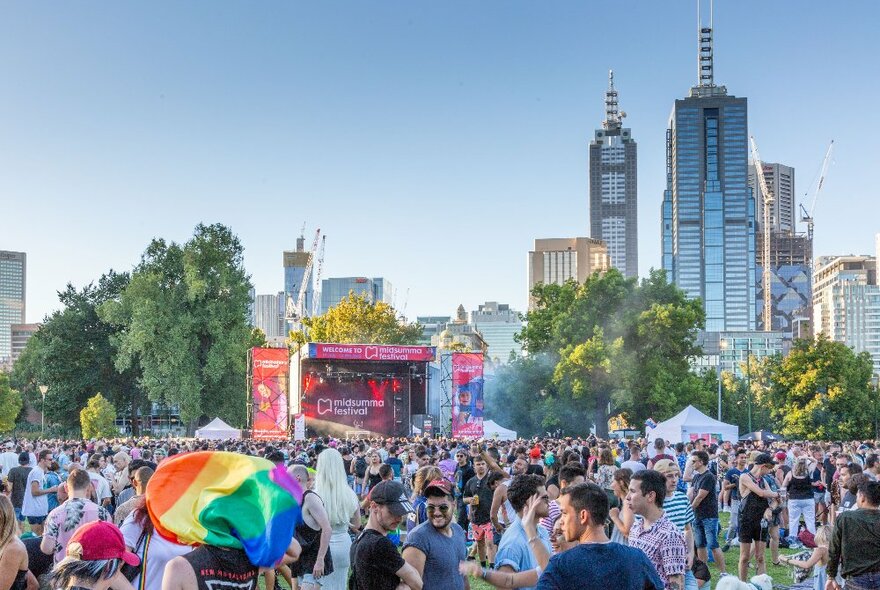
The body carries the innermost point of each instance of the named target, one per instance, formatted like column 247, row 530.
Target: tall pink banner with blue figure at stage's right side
column 467, row 391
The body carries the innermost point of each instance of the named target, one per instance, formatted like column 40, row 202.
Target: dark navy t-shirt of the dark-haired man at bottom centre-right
column 600, row 566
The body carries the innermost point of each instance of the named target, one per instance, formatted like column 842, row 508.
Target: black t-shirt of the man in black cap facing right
column 375, row 561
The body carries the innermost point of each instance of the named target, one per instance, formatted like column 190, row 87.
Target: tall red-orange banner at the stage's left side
column 271, row 373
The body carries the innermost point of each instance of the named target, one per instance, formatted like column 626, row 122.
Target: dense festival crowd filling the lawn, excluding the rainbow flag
column 435, row 513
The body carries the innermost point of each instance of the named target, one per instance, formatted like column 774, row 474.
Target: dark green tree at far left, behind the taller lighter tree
column 72, row 354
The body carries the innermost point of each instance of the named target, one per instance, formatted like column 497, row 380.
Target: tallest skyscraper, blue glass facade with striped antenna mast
column 708, row 210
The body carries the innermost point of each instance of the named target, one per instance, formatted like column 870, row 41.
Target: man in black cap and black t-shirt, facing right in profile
column 376, row 564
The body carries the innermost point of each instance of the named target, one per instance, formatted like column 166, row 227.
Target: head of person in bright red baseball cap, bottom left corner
column 94, row 559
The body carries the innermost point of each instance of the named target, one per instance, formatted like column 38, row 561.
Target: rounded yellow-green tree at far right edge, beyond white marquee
column 822, row 390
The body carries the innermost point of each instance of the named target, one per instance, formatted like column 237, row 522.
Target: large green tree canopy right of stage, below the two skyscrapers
column 614, row 344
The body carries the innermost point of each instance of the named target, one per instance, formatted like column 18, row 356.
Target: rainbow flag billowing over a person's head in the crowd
column 226, row 500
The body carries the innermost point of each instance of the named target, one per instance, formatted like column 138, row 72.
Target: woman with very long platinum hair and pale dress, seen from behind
column 343, row 511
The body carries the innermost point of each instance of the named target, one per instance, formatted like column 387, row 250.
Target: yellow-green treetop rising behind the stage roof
column 357, row 320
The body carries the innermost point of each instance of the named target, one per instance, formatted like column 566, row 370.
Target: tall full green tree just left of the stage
column 183, row 325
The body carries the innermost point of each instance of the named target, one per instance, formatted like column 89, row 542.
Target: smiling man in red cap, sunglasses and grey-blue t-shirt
column 435, row 547
